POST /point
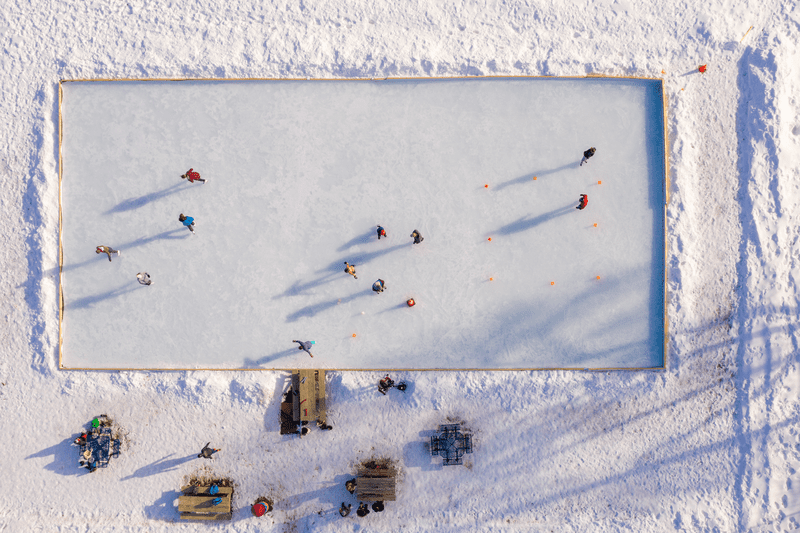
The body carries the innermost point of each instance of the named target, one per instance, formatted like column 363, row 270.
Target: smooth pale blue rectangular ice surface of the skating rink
column 300, row 173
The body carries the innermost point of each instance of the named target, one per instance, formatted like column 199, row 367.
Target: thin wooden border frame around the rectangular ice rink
column 665, row 184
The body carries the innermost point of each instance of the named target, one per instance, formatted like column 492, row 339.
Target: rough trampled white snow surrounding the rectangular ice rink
column 709, row 444
